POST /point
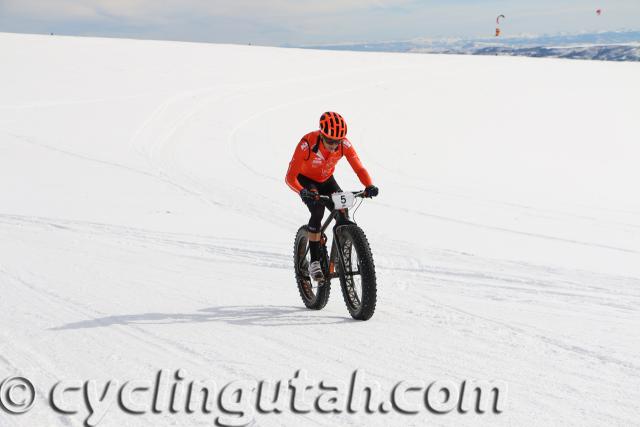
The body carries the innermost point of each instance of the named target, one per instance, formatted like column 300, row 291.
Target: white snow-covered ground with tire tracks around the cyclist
column 145, row 225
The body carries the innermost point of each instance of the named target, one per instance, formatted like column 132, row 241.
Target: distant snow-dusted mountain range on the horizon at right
column 607, row 46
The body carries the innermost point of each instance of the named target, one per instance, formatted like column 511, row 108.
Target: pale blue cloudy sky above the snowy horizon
column 300, row 22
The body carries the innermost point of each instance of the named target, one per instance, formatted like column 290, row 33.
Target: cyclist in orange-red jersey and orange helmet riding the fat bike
column 310, row 174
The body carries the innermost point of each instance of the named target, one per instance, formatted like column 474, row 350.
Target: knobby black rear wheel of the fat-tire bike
column 313, row 297
